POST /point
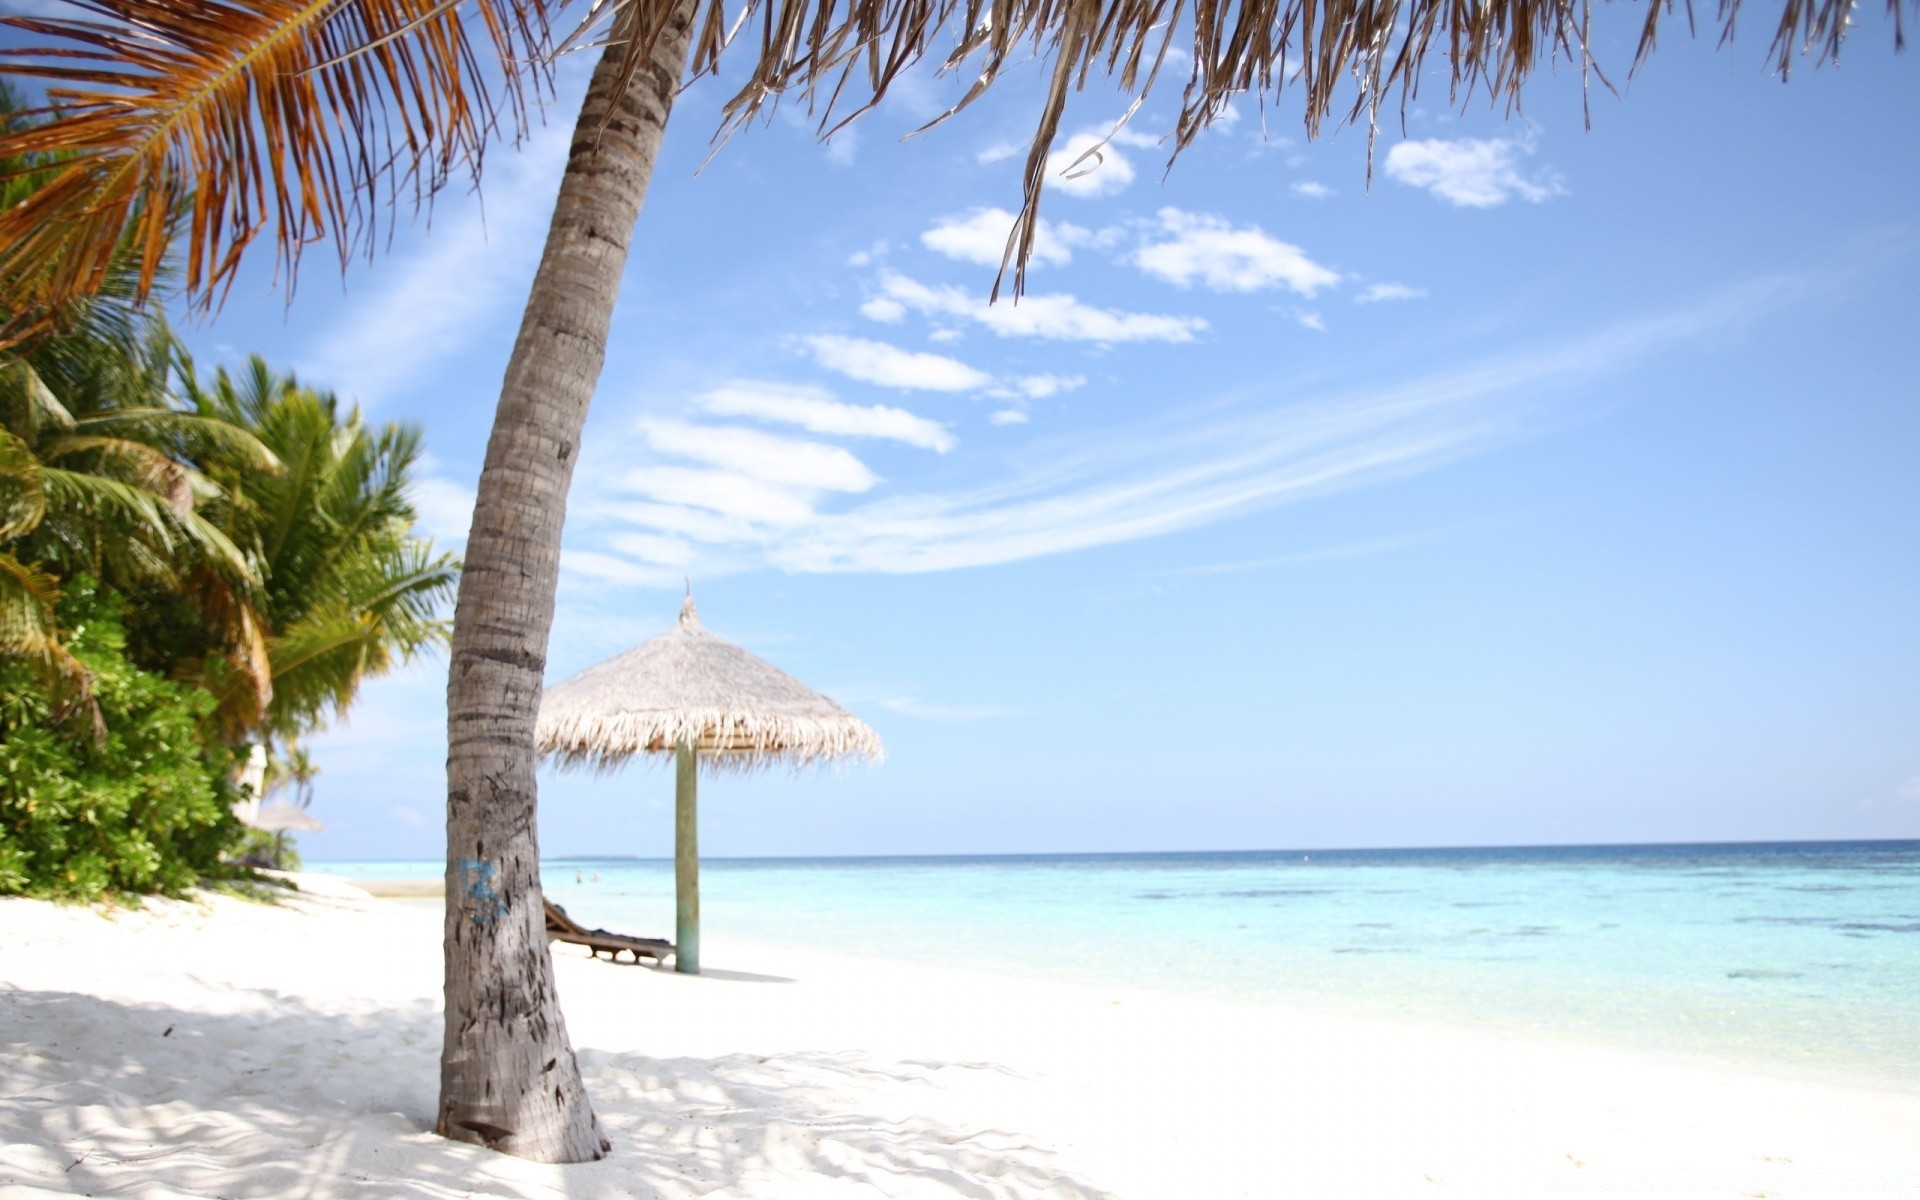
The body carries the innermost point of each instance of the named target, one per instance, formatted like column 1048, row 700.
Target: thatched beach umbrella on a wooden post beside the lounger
column 708, row 704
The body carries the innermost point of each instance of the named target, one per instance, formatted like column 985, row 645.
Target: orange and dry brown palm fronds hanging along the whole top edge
column 310, row 114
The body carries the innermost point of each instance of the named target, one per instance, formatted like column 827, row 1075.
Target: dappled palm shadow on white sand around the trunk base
column 283, row 1099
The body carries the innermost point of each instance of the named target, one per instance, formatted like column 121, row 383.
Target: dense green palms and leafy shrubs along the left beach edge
column 187, row 567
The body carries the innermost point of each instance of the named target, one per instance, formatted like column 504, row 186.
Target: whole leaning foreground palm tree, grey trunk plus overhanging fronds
column 155, row 112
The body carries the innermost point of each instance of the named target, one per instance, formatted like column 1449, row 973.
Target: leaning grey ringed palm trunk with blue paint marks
column 508, row 1074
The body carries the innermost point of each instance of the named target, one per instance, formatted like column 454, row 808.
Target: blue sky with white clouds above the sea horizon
column 1560, row 487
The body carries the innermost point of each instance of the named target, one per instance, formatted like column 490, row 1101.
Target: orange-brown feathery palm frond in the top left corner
column 304, row 118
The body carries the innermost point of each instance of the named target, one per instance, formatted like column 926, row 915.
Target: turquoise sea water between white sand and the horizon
column 1798, row 957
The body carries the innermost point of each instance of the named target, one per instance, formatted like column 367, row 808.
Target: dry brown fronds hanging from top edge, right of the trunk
column 1326, row 49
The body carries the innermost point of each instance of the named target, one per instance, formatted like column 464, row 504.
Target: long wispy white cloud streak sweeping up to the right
column 1220, row 458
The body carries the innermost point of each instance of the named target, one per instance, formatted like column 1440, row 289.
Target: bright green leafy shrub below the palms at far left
column 147, row 807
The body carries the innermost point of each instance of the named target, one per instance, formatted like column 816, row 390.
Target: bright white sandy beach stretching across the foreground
column 233, row 1049
